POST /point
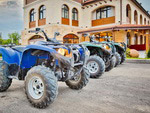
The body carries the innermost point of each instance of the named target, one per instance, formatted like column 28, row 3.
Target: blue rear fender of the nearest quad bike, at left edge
column 10, row 56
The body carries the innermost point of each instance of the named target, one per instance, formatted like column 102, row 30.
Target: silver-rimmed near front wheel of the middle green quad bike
column 96, row 66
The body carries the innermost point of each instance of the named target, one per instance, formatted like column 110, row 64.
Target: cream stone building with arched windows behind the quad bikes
column 122, row 20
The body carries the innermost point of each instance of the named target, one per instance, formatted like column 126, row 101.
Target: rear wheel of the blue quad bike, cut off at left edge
column 5, row 82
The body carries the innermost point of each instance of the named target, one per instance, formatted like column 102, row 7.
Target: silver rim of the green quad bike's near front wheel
column 93, row 67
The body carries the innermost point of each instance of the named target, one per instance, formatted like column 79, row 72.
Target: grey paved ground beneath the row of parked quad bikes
column 125, row 89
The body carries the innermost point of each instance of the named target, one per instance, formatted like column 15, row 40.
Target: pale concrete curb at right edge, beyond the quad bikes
column 138, row 61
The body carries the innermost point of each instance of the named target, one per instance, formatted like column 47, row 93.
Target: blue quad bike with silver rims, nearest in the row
column 43, row 64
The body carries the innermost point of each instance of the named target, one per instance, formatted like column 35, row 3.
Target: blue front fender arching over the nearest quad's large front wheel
column 28, row 60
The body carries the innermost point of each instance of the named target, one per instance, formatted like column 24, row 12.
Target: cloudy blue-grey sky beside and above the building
column 11, row 15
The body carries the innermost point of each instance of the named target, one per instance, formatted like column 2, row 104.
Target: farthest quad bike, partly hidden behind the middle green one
column 120, row 51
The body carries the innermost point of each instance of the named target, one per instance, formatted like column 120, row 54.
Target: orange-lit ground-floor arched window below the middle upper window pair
column 71, row 39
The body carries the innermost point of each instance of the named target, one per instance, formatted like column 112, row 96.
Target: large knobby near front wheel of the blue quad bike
column 41, row 86
